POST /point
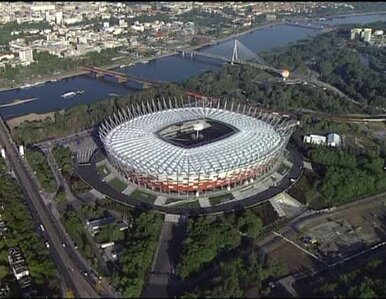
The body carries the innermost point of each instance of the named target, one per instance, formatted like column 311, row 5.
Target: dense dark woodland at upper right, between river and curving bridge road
column 334, row 58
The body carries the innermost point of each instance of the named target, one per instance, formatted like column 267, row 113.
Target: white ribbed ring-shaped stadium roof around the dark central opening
column 135, row 142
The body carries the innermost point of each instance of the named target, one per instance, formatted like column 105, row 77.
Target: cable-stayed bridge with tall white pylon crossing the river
column 233, row 53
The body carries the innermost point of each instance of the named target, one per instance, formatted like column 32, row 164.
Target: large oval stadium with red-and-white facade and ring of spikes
column 194, row 146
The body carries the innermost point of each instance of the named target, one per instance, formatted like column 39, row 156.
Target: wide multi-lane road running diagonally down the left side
column 62, row 257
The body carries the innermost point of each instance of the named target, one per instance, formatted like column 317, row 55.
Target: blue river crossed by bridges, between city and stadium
column 173, row 68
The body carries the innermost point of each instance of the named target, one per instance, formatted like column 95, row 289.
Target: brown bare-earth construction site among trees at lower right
column 327, row 239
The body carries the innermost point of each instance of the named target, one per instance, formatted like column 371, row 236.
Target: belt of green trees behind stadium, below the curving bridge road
column 240, row 83
